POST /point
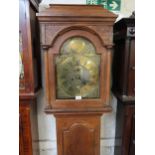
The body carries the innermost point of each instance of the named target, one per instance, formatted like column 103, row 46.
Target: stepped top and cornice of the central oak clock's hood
column 76, row 13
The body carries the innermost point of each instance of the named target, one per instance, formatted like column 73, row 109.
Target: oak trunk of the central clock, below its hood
column 78, row 134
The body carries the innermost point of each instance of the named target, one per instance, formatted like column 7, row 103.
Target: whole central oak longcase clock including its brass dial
column 66, row 33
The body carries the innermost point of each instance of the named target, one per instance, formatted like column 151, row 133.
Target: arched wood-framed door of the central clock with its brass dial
column 76, row 67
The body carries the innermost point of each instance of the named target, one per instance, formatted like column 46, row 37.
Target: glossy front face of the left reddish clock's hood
column 23, row 48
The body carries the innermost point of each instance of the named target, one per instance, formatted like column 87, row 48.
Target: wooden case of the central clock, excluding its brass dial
column 77, row 121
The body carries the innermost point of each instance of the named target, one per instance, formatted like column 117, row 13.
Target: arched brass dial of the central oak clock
column 77, row 70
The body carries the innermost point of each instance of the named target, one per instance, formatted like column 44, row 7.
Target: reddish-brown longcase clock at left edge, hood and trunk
column 29, row 78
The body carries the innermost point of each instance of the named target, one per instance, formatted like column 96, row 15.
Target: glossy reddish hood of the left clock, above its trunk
column 29, row 50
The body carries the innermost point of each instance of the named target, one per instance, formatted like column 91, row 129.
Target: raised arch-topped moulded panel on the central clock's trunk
column 79, row 140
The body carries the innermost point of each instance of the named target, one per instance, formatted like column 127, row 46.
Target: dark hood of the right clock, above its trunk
column 124, row 59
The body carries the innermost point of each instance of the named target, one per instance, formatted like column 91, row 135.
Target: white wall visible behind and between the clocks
column 46, row 123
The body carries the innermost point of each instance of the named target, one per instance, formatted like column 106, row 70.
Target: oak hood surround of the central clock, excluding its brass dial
column 54, row 31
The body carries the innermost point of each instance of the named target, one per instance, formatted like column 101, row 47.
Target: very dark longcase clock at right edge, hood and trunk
column 124, row 84
